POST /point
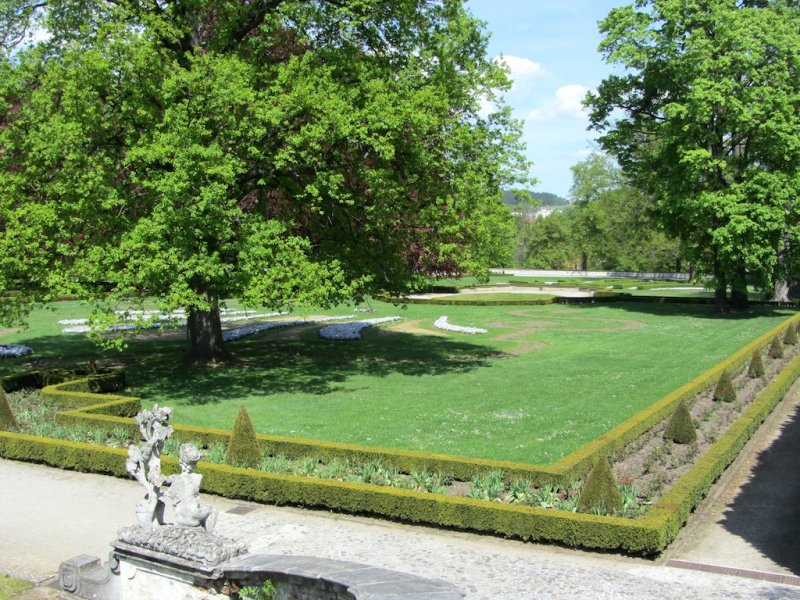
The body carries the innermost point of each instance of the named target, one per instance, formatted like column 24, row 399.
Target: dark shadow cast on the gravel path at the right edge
column 764, row 513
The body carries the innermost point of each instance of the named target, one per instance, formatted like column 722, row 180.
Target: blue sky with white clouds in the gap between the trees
column 551, row 49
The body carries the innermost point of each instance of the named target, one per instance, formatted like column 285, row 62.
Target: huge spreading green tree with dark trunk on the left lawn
column 277, row 151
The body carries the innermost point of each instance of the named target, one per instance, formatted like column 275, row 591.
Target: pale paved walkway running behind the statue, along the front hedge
column 51, row 515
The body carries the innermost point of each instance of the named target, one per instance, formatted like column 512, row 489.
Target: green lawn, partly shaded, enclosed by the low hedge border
column 543, row 382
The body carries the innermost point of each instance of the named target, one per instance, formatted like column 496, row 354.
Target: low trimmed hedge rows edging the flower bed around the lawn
column 649, row 534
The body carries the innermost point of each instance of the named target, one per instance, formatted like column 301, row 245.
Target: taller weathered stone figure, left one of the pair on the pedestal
column 144, row 463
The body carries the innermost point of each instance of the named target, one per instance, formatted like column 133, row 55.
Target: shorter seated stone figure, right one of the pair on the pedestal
column 184, row 493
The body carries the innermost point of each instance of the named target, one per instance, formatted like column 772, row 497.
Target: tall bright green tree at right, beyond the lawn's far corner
column 705, row 117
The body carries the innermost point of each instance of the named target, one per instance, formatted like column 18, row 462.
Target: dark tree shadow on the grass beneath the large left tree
column 264, row 365
